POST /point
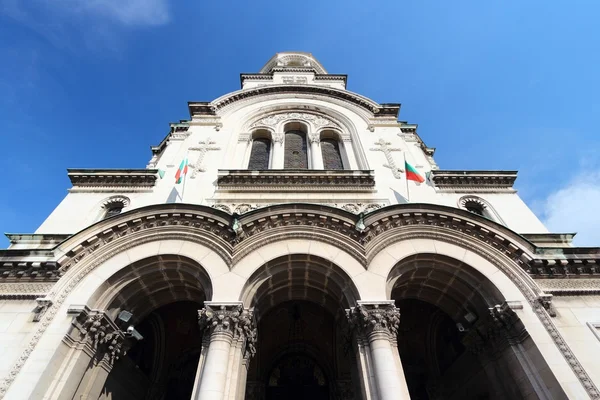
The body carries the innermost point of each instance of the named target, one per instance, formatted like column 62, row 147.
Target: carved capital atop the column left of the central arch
column 230, row 320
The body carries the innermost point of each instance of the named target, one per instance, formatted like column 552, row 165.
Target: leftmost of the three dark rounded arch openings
column 163, row 293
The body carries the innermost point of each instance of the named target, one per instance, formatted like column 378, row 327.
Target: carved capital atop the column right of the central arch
column 377, row 318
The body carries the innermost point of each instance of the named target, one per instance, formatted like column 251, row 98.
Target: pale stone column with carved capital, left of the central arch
column 232, row 333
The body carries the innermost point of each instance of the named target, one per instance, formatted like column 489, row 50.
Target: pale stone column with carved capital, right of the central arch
column 378, row 322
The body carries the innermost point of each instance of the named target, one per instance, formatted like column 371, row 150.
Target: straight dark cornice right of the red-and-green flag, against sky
column 474, row 181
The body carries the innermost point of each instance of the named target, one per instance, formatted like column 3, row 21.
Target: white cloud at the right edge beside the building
column 576, row 208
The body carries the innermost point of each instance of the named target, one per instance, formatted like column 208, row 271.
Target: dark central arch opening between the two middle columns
column 303, row 348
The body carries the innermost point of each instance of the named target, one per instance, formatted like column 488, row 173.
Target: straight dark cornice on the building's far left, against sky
column 112, row 178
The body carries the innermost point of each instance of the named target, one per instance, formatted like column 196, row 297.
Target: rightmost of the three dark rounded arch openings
column 451, row 341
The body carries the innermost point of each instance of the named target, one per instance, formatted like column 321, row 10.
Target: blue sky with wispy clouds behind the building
column 492, row 84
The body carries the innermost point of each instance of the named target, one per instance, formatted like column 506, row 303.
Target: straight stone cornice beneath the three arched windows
column 296, row 180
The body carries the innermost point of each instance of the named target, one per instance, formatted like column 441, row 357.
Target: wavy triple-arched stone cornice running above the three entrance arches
column 362, row 236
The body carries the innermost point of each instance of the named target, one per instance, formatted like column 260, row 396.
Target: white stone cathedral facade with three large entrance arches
column 294, row 240
